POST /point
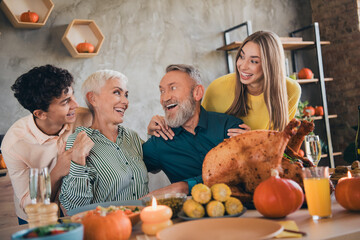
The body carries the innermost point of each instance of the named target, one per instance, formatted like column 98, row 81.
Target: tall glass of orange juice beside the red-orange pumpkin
column 317, row 192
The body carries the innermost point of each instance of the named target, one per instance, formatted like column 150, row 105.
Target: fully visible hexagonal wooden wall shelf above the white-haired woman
column 80, row 31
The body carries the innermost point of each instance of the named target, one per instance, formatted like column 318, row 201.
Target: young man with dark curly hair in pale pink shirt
column 38, row 140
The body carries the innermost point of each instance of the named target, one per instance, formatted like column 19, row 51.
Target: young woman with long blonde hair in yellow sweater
column 258, row 93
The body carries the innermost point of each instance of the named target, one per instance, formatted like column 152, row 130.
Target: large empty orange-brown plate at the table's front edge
column 222, row 228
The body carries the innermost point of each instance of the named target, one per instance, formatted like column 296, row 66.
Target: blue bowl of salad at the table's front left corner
column 73, row 231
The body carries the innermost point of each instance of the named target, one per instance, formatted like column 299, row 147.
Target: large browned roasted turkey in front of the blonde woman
column 242, row 162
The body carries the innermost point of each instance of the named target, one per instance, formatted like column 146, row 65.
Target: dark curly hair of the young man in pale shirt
column 38, row 87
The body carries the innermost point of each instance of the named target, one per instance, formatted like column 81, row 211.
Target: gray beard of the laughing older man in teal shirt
column 185, row 112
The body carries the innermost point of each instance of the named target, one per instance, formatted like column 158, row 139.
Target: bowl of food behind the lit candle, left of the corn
column 173, row 200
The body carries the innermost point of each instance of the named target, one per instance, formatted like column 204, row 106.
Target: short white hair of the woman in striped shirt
column 97, row 80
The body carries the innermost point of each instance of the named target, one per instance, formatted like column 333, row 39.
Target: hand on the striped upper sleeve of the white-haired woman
column 81, row 148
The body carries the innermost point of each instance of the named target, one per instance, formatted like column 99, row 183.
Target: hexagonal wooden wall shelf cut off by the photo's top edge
column 14, row 8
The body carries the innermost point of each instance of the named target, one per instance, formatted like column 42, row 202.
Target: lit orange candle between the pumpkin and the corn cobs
column 155, row 218
